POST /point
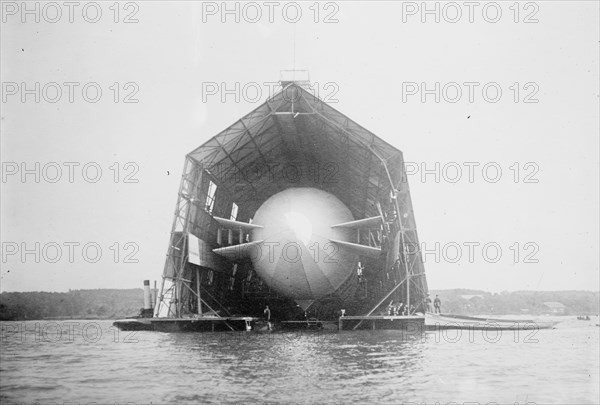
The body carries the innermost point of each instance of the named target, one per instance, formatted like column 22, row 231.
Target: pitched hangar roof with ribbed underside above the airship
column 294, row 139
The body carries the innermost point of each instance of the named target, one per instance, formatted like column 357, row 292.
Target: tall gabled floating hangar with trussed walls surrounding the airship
column 293, row 139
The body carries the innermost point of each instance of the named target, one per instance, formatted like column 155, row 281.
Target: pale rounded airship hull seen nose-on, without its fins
column 298, row 258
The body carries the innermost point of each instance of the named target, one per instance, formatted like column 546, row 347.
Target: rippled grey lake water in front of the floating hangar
column 93, row 362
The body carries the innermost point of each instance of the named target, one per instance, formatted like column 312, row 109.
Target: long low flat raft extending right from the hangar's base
column 446, row 321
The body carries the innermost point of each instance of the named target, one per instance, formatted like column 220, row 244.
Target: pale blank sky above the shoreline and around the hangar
column 372, row 55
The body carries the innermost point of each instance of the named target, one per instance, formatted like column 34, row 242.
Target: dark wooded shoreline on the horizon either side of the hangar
column 116, row 303
